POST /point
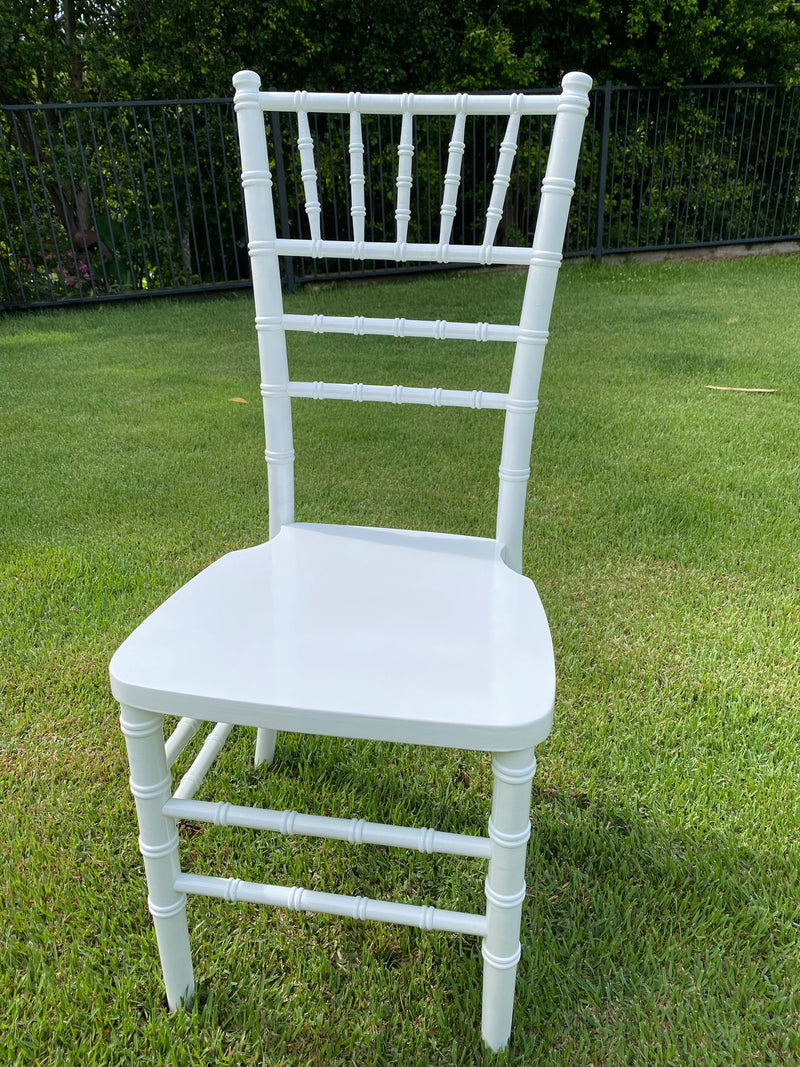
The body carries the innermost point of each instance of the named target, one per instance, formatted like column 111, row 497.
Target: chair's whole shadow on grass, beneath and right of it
column 630, row 928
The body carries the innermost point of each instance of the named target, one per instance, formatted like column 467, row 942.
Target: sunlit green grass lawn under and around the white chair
column 662, row 926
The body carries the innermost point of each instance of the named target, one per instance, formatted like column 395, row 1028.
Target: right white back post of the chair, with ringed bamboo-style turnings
column 557, row 190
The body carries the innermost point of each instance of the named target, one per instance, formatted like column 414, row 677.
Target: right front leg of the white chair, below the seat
column 509, row 831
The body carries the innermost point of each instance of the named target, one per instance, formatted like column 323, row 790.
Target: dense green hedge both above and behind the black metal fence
column 79, row 51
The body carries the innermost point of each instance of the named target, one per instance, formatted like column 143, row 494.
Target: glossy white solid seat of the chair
column 381, row 634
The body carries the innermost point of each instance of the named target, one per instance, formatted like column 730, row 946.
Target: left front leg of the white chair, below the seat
column 151, row 785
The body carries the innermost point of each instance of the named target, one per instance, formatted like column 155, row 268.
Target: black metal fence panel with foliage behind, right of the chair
column 705, row 166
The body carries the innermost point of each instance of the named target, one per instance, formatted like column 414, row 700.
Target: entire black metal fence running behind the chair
column 111, row 201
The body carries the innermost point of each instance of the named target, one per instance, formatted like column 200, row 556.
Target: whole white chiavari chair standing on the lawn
column 378, row 634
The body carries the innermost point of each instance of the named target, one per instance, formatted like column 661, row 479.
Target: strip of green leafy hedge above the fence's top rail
column 94, row 50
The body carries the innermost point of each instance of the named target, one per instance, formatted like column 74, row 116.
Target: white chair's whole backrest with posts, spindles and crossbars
column 542, row 259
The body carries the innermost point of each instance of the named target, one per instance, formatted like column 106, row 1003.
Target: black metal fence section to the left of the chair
column 119, row 200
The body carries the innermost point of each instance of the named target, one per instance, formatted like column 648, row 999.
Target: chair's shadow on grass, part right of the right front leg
column 637, row 928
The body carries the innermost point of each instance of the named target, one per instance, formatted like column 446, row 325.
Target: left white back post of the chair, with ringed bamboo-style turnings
column 266, row 270
